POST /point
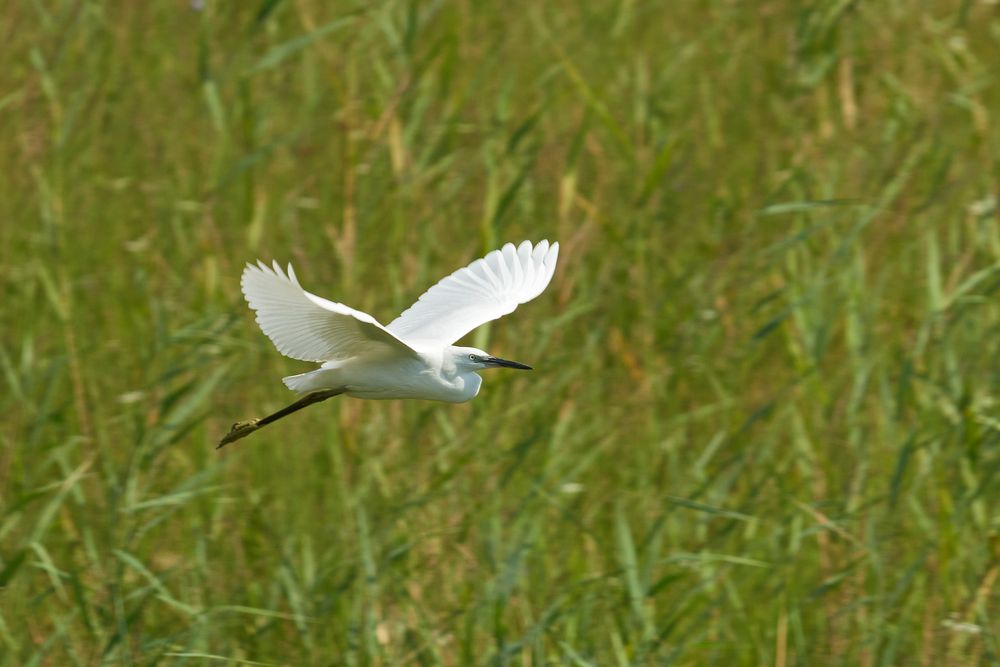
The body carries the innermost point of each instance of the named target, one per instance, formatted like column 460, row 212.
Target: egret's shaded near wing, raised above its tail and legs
column 308, row 327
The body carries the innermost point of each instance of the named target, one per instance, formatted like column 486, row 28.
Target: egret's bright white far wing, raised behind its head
column 488, row 288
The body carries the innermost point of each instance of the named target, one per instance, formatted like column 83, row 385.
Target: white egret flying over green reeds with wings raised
column 414, row 356
